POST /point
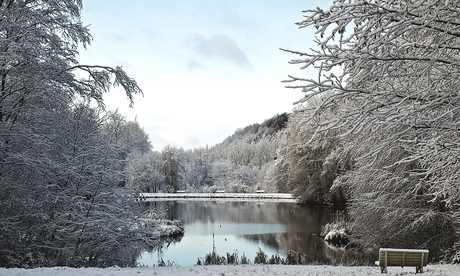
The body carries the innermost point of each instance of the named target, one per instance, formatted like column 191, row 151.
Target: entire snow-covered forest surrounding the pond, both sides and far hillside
column 376, row 135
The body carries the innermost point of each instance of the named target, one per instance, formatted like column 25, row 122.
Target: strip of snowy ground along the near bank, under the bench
column 242, row 270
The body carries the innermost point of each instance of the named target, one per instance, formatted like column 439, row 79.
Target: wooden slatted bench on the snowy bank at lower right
column 403, row 257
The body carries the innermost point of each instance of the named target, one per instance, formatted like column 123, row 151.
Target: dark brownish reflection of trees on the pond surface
column 303, row 225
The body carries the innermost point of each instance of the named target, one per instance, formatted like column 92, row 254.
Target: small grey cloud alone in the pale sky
column 219, row 47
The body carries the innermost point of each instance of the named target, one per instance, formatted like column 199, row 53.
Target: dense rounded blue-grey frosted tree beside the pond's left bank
column 60, row 202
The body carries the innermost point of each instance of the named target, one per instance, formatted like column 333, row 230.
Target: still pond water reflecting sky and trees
column 242, row 227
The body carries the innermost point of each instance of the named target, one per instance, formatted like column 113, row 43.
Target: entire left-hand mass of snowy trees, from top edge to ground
column 59, row 170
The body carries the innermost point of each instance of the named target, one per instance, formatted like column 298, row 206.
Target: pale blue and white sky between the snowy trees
column 206, row 67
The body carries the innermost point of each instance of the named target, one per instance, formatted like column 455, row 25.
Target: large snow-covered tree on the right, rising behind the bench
column 391, row 69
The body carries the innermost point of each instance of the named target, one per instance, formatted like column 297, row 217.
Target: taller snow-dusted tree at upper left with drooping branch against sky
column 38, row 42
